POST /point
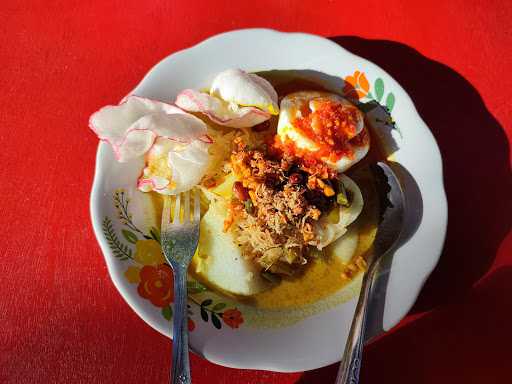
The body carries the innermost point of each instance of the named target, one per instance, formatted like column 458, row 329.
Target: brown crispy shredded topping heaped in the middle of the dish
column 275, row 204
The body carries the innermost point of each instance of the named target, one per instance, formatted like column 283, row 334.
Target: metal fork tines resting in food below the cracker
column 176, row 209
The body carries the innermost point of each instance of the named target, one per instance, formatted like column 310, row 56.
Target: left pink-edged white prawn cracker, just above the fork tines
column 175, row 142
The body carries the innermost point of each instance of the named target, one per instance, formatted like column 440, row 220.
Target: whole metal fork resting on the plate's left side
column 180, row 235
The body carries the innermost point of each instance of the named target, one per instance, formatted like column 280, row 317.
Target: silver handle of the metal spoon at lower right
column 350, row 365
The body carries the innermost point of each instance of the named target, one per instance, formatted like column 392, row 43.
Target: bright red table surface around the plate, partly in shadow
column 62, row 320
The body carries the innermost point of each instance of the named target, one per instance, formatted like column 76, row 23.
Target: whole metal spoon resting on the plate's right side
column 386, row 240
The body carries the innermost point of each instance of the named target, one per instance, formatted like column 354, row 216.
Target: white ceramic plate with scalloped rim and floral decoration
column 314, row 337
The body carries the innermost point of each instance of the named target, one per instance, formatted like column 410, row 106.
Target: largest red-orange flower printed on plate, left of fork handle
column 156, row 284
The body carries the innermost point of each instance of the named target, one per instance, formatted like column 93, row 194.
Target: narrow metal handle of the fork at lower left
column 180, row 360
